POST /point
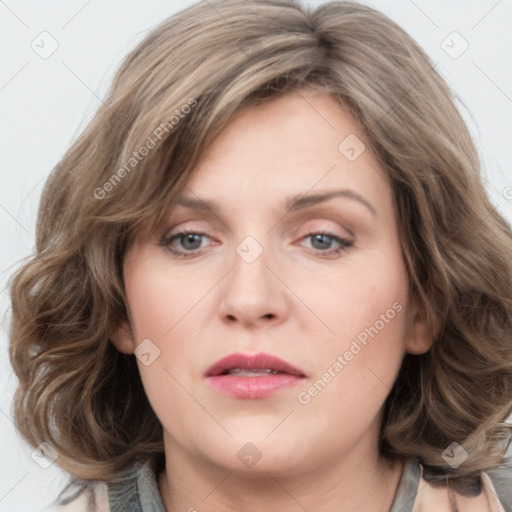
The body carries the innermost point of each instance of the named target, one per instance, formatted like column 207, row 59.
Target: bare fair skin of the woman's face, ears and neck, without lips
column 290, row 302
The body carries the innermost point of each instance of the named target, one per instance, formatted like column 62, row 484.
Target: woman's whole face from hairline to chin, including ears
column 274, row 269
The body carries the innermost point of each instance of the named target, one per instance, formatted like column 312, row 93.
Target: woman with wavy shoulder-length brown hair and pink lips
column 268, row 275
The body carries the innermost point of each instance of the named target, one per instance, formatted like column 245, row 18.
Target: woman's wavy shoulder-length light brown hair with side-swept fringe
column 173, row 94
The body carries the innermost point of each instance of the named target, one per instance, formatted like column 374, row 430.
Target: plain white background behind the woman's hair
column 45, row 103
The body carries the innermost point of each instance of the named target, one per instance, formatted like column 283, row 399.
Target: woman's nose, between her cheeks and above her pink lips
column 252, row 293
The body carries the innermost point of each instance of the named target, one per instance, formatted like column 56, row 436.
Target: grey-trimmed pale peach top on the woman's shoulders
column 137, row 491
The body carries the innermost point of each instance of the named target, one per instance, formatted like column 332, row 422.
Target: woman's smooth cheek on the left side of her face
column 163, row 306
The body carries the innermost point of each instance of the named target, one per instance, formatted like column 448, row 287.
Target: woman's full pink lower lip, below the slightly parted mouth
column 253, row 387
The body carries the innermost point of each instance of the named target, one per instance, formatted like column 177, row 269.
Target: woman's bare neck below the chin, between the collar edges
column 354, row 483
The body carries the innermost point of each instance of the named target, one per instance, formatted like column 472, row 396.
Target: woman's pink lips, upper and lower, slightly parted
column 253, row 387
